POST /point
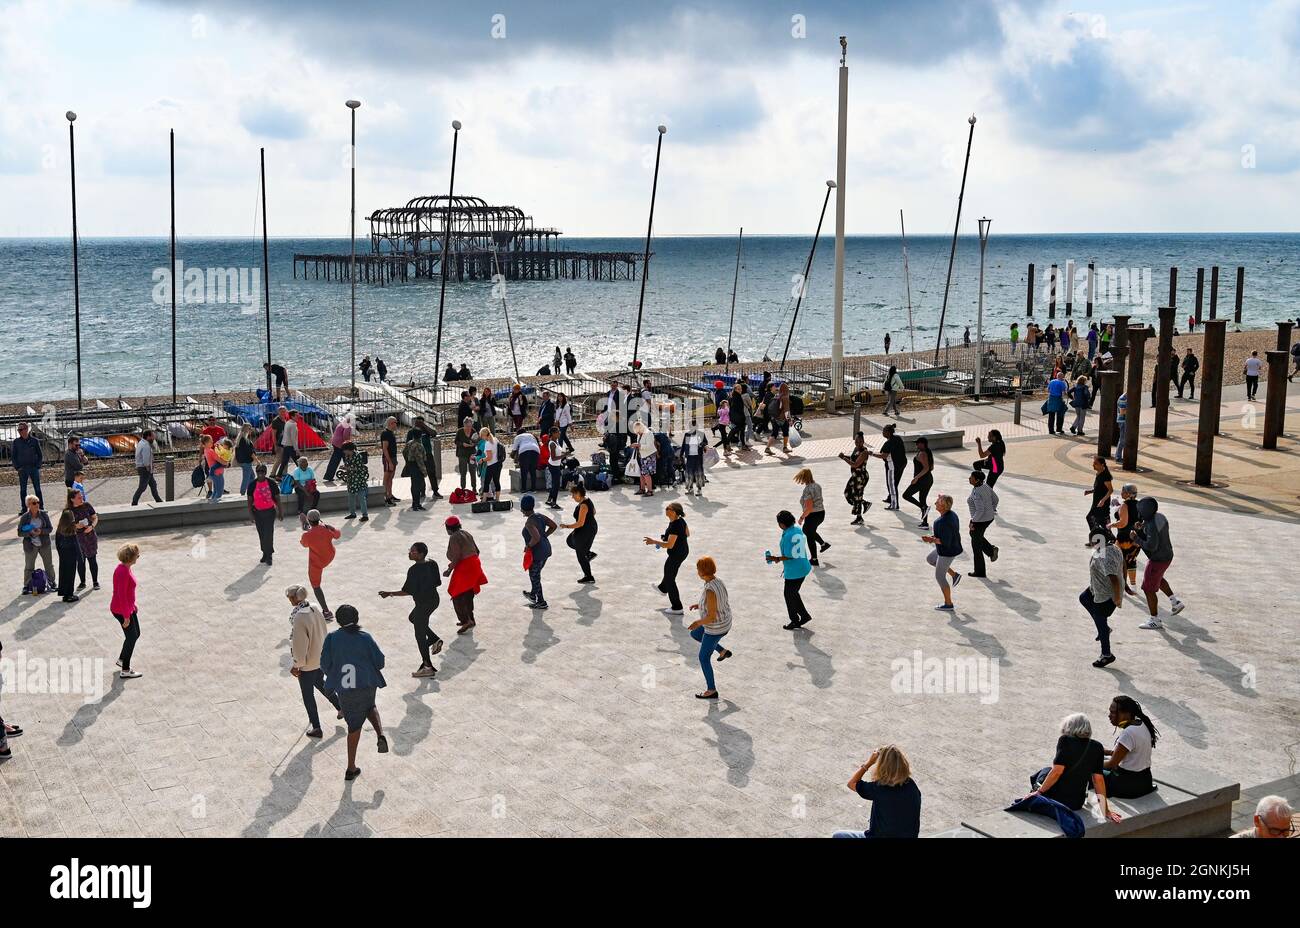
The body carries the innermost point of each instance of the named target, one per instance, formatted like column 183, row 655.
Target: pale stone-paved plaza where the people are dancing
column 582, row 721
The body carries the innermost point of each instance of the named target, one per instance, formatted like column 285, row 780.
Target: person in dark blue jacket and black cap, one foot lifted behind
column 353, row 665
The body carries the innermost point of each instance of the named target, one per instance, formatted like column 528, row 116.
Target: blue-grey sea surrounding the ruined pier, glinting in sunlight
column 688, row 309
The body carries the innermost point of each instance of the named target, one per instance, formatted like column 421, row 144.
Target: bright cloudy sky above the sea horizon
column 1126, row 116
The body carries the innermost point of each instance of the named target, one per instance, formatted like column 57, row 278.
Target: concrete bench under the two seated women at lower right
column 1188, row 804
